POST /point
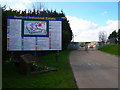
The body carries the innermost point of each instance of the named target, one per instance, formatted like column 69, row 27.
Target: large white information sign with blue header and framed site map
column 26, row 33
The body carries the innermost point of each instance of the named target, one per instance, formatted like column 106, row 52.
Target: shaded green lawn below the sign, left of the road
column 62, row 78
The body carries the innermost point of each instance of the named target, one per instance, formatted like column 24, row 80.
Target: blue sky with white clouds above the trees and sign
column 86, row 19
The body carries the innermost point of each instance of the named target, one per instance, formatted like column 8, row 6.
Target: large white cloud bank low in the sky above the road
column 86, row 31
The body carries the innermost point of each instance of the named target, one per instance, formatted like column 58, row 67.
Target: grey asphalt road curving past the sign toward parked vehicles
column 94, row 69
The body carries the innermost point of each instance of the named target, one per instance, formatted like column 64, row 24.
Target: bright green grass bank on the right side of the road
column 112, row 49
